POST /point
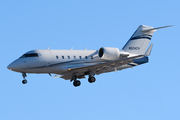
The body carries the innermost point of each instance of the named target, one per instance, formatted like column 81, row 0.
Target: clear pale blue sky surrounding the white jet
column 150, row 91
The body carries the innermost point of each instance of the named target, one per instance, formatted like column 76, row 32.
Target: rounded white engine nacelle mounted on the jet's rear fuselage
column 109, row 53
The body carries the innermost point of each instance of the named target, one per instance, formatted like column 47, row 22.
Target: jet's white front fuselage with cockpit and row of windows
column 55, row 61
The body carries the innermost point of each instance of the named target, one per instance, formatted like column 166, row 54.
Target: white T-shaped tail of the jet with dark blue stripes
column 139, row 41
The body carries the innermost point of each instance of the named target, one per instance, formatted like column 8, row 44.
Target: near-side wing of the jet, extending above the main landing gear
column 99, row 68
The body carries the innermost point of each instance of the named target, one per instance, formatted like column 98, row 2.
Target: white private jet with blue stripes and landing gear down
column 76, row 64
